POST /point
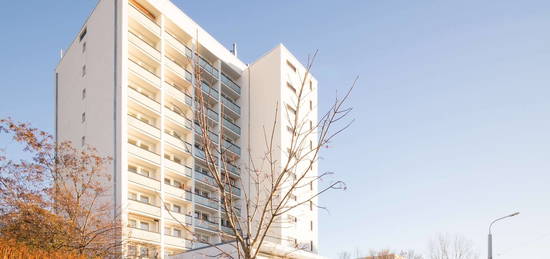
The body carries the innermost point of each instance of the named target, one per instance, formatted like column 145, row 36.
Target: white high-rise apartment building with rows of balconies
column 125, row 86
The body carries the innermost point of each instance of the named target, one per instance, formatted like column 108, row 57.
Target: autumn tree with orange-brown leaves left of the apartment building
column 57, row 199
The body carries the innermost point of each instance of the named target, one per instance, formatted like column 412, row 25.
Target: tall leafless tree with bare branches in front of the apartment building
column 272, row 189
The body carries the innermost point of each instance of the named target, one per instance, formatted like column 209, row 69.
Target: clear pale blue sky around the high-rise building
column 452, row 109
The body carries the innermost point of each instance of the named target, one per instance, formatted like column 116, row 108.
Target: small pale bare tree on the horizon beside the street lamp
column 451, row 247
